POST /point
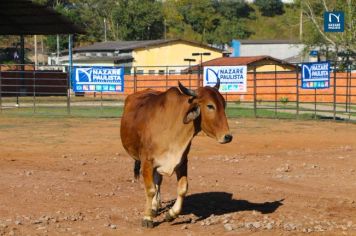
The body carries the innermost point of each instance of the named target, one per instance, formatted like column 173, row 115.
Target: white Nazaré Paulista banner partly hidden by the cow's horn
column 232, row 78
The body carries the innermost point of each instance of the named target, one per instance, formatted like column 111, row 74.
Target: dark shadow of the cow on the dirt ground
column 218, row 203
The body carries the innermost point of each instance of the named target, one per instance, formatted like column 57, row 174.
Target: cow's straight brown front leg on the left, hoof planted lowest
column 147, row 172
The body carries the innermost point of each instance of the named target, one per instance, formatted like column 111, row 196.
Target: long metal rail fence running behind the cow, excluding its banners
column 25, row 89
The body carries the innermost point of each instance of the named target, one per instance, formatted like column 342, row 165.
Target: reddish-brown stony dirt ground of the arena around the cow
column 71, row 176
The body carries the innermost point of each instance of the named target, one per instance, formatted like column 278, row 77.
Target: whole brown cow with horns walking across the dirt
column 157, row 129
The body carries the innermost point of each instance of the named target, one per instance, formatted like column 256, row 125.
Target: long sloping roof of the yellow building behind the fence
column 130, row 45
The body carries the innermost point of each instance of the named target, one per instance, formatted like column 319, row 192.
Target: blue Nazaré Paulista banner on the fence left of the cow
column 98, row 79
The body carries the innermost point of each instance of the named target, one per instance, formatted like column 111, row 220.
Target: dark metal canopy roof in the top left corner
column 23, row 17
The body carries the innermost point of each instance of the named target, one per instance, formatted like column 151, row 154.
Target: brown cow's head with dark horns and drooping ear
column 208, row 107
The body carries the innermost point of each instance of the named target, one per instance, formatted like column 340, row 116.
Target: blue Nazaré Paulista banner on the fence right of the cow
column 316, row 75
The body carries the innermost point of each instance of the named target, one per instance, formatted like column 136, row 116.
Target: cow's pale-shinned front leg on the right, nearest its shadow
column 182, row 189
